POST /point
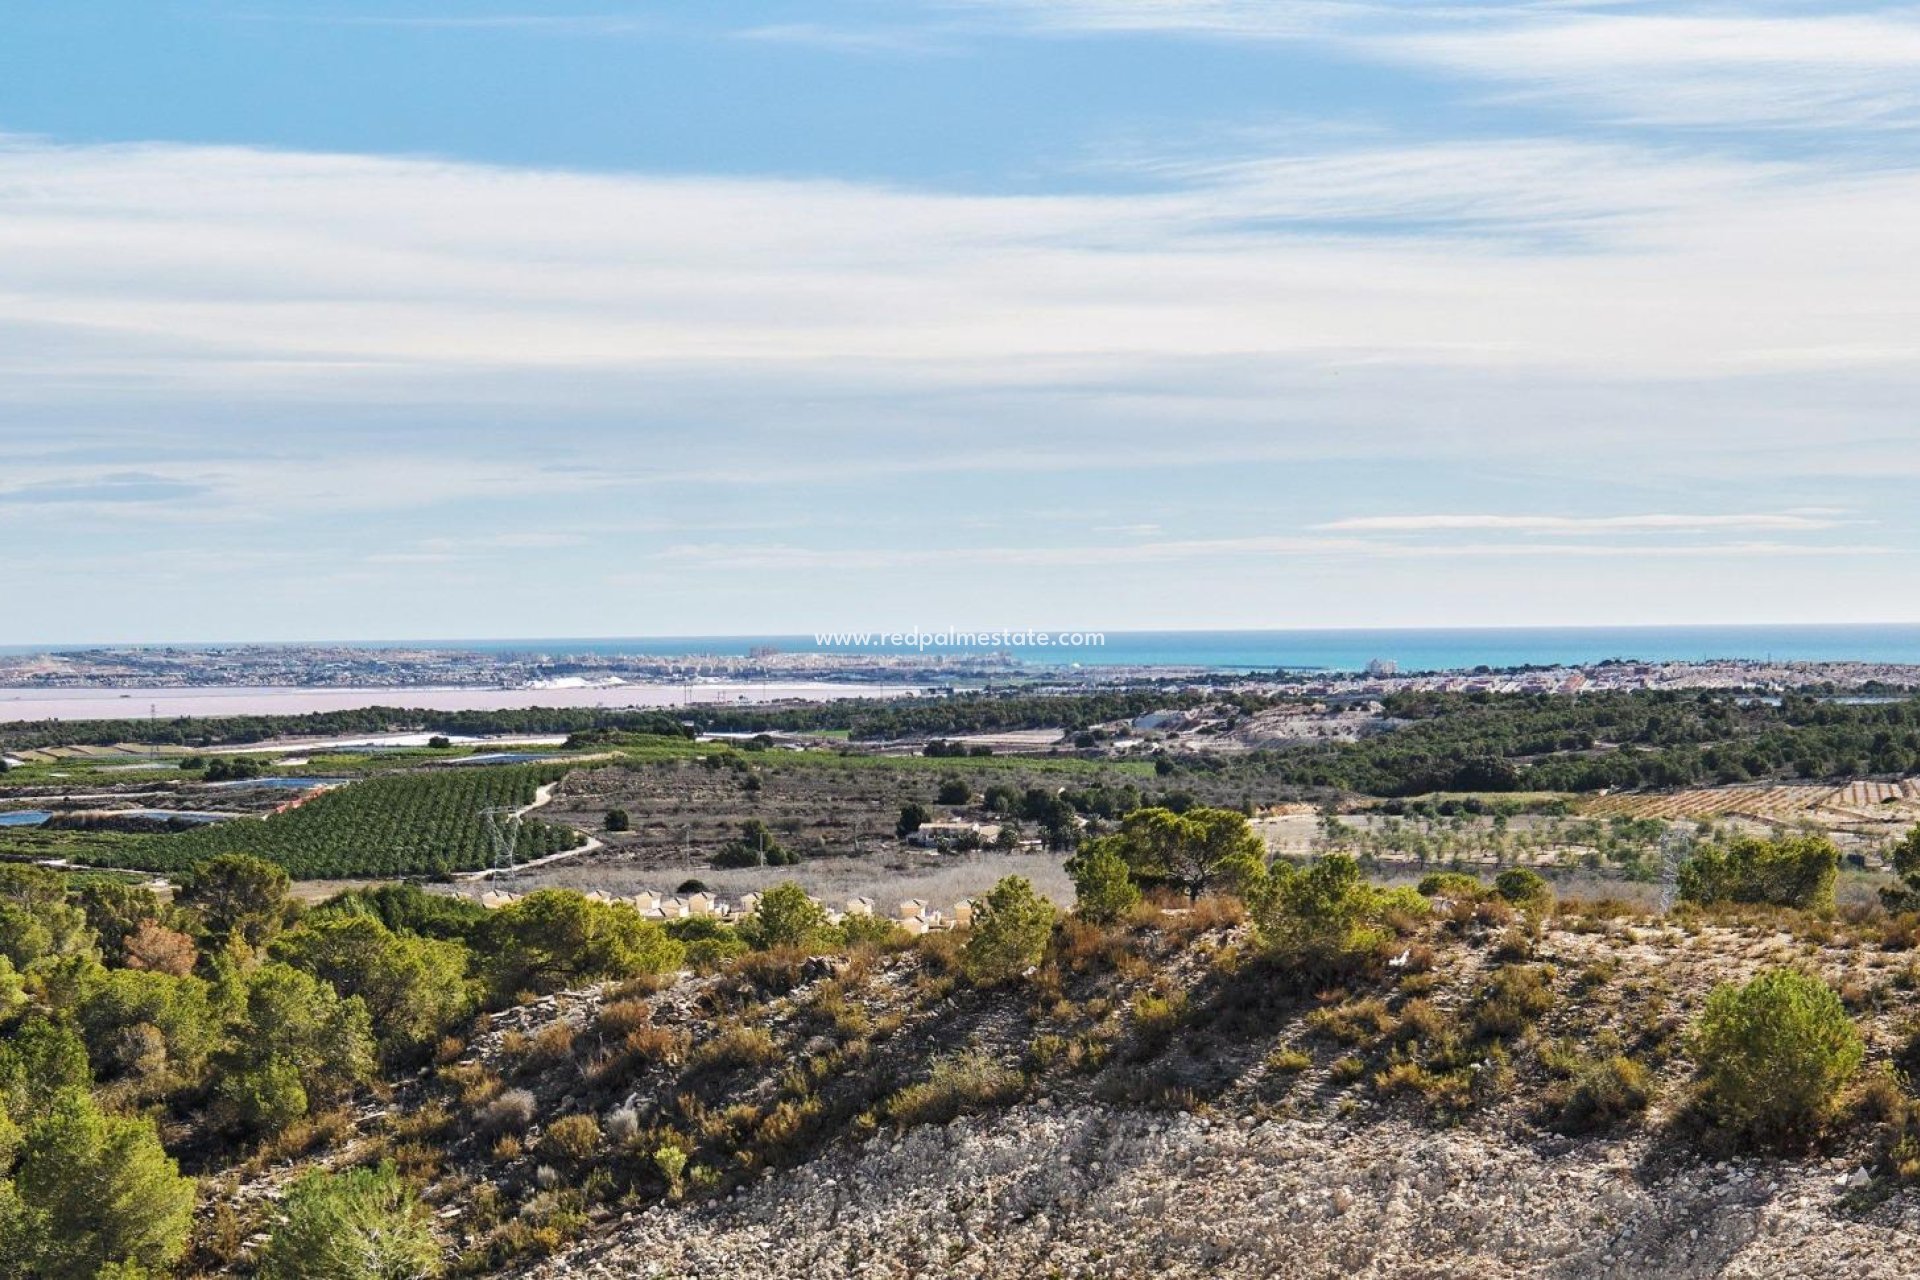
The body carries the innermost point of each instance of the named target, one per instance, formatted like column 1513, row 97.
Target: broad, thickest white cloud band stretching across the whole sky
column 260, row 270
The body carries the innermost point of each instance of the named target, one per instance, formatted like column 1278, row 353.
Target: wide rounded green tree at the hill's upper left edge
column 556, row 937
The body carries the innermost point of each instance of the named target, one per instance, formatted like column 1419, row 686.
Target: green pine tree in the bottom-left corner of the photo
column 97, row 1191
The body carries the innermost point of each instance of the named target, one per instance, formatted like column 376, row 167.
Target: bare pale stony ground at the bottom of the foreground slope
column 1086, row 1191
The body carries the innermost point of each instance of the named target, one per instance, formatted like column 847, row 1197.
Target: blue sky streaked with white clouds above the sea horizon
column 400, row 320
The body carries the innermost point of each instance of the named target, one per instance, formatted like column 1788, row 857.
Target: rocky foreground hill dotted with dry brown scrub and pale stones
column 1159, row 1099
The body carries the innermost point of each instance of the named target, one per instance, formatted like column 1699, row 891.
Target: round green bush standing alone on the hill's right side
column 1775, row 1055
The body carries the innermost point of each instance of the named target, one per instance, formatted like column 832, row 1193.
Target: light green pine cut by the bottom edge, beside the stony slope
column 356, row 1225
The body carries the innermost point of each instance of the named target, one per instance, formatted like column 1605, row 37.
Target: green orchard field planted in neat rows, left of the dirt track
column 402, row 824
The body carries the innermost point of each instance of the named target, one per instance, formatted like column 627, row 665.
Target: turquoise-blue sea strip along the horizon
column 1433, row 650
